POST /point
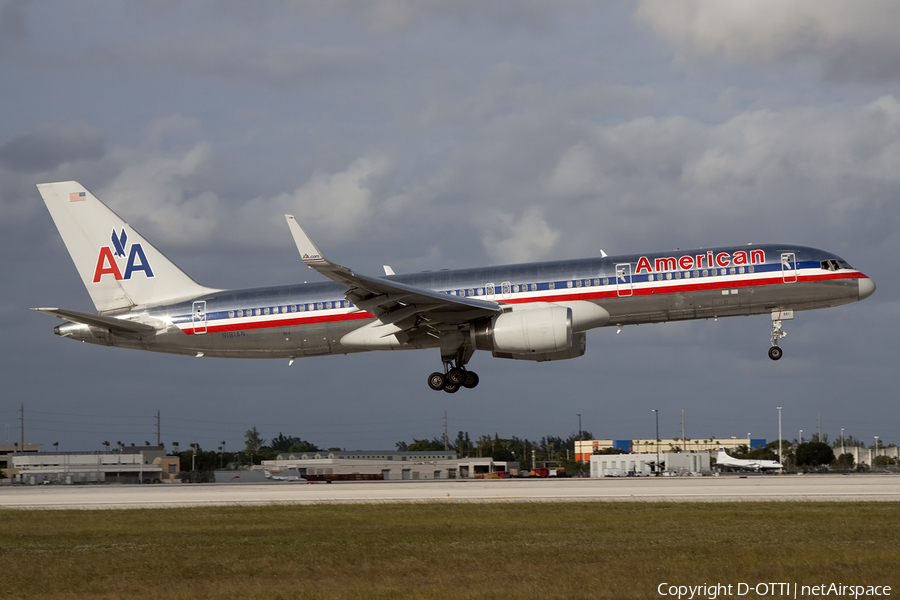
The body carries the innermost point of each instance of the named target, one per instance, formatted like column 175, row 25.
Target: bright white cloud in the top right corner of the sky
column 853, row 40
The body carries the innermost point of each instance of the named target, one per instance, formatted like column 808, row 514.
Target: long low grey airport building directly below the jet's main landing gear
column 391, row 465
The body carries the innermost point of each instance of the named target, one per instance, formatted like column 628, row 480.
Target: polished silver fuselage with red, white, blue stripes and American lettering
column 298, row 320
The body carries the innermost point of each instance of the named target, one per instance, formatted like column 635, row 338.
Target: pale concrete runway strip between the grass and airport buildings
column 663, row 489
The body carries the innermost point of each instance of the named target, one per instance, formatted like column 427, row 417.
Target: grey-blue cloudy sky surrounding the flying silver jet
column 441, row 134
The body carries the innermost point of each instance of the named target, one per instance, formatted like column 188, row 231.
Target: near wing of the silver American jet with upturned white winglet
column 392, row 302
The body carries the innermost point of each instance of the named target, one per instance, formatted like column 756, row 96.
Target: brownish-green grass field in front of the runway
column 559, row 550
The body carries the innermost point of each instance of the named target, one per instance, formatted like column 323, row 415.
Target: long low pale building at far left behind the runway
column 141, row 464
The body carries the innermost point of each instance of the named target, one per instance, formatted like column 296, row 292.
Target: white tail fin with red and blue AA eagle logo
column 119, row 268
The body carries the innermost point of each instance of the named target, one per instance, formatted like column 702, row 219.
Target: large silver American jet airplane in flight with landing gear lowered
column 534, row 311
